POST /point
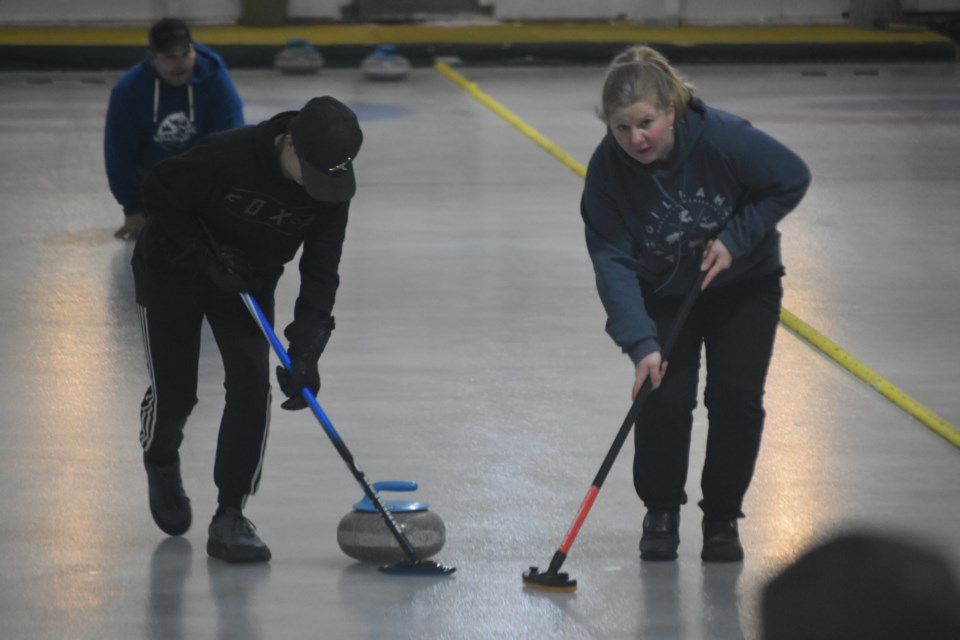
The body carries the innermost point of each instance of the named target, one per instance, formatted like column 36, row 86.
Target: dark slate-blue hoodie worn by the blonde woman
column 649, row 225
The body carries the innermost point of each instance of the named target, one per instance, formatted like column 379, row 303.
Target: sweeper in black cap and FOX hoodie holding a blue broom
column 224, row 218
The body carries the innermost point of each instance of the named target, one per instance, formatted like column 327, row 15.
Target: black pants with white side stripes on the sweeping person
column 172, row 308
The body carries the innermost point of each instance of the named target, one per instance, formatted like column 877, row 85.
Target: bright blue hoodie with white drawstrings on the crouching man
column 149, row 120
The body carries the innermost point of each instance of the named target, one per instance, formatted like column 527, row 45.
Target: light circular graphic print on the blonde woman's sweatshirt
column 681, row 224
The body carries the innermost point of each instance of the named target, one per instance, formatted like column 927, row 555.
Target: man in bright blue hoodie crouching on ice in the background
column 160, row 107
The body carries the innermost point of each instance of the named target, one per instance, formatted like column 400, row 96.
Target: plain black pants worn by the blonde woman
column 735, row 326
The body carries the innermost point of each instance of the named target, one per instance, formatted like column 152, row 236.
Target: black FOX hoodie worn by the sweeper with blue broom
column 231, row 184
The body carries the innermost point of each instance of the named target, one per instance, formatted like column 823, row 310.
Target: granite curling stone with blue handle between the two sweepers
column 363, row 534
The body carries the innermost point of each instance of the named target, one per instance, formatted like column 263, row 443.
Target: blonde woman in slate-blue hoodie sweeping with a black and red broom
column 676, row 188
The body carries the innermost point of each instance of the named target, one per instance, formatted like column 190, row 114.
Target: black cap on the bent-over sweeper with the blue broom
column 327, row 138
